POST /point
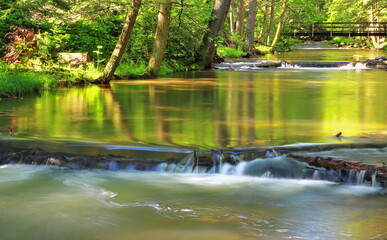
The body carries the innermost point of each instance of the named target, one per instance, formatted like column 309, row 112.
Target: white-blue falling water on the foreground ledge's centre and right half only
column 268, row 165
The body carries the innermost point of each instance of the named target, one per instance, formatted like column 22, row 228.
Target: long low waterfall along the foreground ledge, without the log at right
column 263, row 162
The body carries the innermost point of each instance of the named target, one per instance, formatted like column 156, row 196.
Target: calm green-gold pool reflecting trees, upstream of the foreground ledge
column 210, row 109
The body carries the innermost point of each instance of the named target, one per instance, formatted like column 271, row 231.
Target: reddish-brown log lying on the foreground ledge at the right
column 379, row 173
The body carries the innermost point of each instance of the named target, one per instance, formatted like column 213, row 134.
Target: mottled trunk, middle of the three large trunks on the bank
column 161, row 37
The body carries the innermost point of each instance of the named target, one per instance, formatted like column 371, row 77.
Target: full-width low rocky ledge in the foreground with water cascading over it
column 279, row 162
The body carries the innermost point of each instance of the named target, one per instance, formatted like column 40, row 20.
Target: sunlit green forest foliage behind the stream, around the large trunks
column 249, row 27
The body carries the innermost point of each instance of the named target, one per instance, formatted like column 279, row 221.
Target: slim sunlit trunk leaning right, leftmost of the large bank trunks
column 119, row 50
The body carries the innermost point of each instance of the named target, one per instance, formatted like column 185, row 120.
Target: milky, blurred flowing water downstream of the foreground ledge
column 56, row 203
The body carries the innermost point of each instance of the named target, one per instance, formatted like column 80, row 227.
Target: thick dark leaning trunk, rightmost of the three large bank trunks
column 208, row 48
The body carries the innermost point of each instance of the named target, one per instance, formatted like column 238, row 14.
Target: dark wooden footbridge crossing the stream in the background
column 348, row 29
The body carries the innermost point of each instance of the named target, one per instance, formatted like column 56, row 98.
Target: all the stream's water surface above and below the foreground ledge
column 172, row 116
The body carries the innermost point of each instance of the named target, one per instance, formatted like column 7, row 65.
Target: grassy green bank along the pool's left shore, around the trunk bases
column 20, row 79
